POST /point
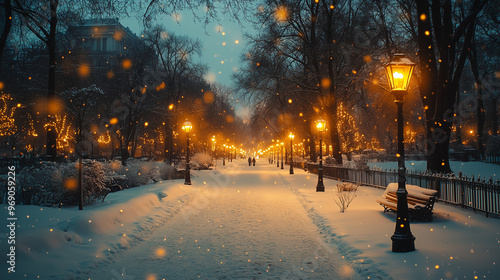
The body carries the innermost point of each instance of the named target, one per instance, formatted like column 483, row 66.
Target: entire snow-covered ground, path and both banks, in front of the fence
column 242, row 222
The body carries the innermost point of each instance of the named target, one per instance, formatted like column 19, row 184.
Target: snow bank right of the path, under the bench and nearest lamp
column 458, row 244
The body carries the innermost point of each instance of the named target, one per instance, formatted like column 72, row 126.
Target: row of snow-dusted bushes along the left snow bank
column 51, row 183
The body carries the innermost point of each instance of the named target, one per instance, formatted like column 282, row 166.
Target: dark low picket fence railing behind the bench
column 468, row 192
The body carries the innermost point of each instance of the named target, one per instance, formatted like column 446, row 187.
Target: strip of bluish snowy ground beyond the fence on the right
column 470, row 168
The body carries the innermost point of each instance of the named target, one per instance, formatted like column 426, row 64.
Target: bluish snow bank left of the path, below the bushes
column 49, row 238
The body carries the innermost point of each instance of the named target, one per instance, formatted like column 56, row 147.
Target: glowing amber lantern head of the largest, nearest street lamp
column 399, row 72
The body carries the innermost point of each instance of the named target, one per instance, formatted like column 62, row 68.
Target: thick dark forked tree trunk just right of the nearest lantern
column 438, row 85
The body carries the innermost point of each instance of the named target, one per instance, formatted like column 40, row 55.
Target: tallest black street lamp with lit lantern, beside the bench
column 399, row 72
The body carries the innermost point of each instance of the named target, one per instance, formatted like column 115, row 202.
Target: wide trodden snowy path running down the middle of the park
column 245, row 223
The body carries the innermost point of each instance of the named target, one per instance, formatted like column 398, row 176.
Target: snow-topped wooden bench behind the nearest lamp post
column 420, row 201
